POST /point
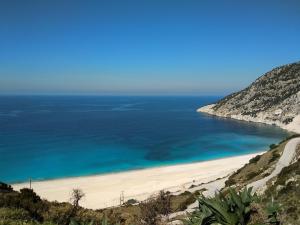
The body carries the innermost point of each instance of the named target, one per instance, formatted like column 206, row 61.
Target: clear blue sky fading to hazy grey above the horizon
column 207, row 47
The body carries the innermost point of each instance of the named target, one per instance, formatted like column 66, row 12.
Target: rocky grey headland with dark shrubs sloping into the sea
column 273, row 98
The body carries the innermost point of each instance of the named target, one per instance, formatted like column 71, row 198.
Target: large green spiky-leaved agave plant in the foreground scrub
column 232, row 209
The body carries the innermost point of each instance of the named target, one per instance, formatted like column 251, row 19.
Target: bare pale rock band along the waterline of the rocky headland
column 294, row 126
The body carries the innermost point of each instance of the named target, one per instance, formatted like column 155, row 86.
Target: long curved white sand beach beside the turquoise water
column 105, row 190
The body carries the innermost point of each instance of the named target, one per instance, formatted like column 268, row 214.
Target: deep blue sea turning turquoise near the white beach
column 46, row 137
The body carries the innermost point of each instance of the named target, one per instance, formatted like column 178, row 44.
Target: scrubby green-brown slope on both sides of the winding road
column 282, row 189
